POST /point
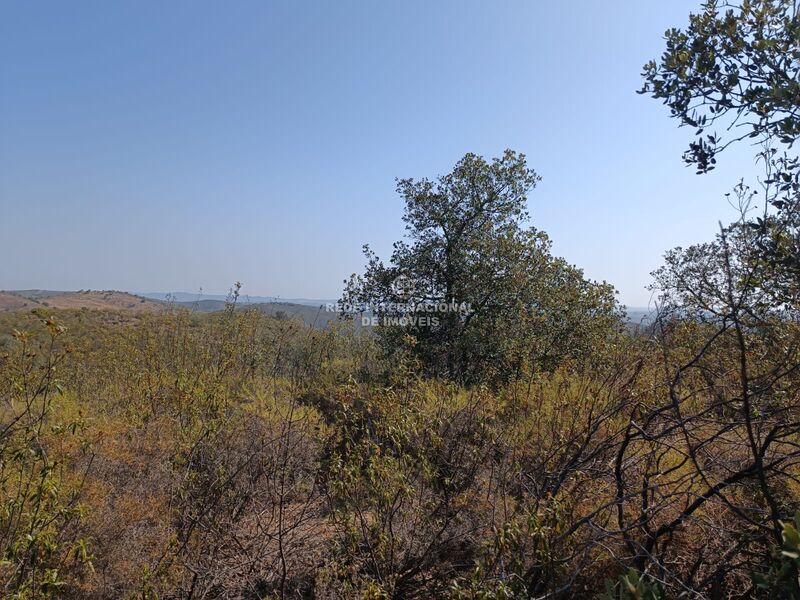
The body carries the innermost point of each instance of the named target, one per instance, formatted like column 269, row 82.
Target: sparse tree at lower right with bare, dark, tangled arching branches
column 730, row 360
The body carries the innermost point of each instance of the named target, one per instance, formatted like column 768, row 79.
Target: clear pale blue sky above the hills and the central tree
column 165, row 146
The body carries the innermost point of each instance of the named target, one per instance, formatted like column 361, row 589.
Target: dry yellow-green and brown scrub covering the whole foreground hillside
column 235, row 455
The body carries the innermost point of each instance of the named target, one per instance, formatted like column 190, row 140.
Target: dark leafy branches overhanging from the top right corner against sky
column 737, row 66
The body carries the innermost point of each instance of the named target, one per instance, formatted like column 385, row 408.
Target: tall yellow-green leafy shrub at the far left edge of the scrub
column 40, row 509
